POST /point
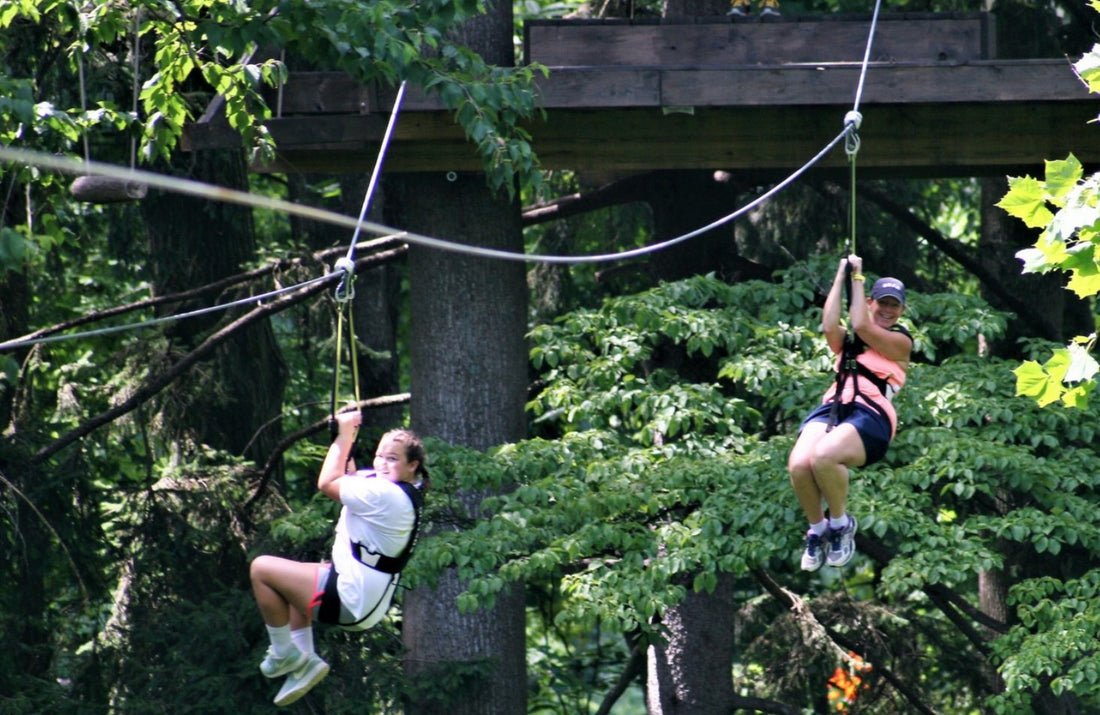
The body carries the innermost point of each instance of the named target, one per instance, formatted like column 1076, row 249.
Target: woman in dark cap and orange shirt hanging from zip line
column 856, row 421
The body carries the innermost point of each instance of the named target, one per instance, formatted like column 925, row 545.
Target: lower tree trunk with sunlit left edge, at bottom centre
column 691, row 674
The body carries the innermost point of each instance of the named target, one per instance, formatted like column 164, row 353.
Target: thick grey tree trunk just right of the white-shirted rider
column 469, row 384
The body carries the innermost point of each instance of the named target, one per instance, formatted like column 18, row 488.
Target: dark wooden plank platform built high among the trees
column 738, row 95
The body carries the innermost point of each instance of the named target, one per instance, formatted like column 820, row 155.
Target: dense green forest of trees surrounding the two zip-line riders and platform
column 611, row 529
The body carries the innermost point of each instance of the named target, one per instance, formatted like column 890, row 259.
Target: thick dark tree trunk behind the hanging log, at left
column 194, row 243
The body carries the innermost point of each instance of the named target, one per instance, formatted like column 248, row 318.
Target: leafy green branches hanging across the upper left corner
column 202, row 49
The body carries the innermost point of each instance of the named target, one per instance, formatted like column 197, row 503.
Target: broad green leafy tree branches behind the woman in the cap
column 662, row 467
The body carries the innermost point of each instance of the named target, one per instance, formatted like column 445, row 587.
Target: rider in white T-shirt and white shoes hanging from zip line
column 375, row 537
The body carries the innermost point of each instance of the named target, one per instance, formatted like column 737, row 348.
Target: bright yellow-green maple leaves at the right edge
column 1066, row 206
